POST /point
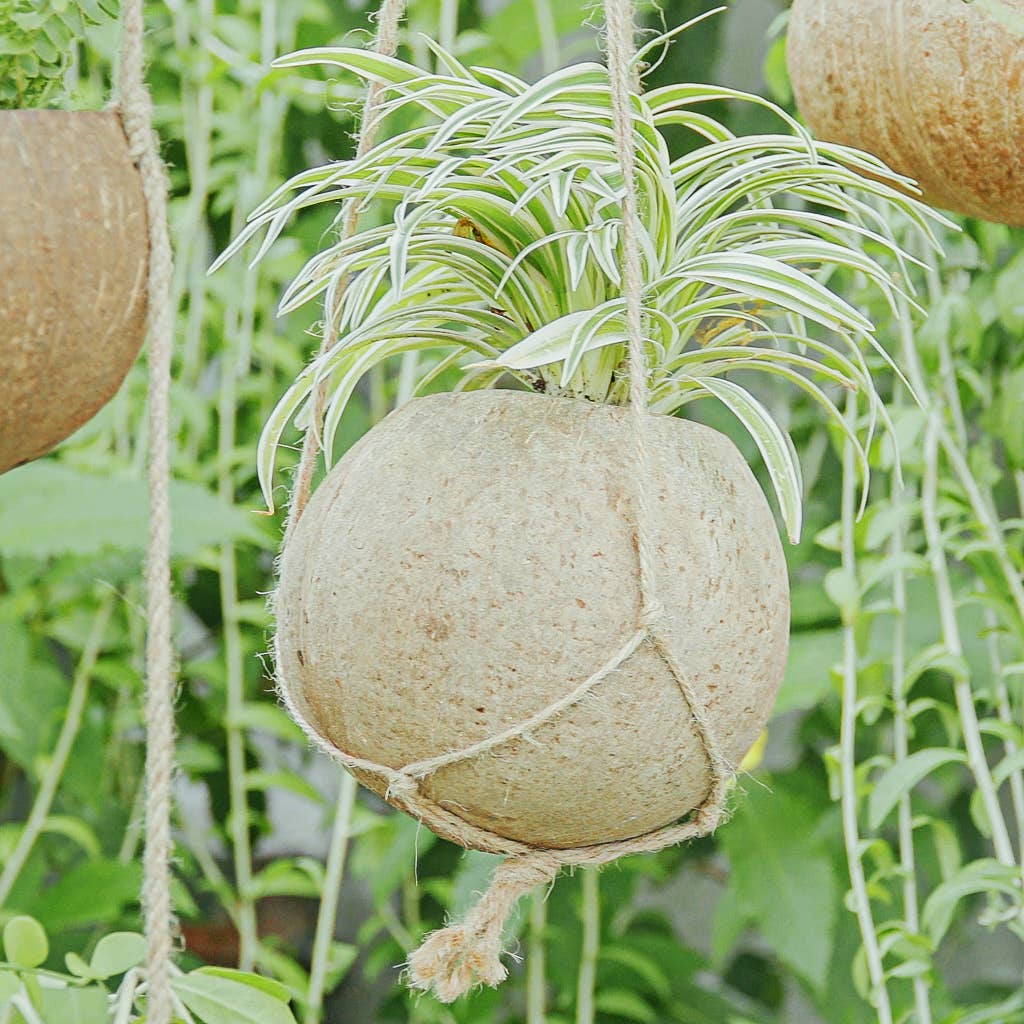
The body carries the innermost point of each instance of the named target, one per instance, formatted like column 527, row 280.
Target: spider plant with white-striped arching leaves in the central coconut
column 499, row 251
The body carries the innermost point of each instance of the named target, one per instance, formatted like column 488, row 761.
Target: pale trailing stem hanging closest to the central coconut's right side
column 848, row 733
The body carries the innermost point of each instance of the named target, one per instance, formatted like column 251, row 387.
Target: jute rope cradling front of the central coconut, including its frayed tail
column 451, row 961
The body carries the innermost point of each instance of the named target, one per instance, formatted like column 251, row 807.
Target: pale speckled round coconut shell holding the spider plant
column 473, row 560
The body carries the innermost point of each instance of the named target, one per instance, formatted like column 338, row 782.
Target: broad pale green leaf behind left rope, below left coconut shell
column 50, row 509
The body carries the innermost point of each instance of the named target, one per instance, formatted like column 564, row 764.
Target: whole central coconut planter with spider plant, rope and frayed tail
column 542, row 614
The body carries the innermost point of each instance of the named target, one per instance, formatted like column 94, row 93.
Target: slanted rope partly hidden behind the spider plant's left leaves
column 389, row 19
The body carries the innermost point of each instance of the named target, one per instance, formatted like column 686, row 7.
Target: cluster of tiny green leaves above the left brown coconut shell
column 37, row 39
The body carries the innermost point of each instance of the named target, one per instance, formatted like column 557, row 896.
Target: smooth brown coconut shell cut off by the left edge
column 74, row 259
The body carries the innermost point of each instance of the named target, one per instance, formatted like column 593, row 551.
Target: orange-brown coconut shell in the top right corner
column 933, row 88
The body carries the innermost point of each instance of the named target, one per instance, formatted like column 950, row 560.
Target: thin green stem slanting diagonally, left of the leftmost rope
column 62, row 751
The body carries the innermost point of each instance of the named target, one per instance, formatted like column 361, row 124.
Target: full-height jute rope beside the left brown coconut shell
column 136, row 106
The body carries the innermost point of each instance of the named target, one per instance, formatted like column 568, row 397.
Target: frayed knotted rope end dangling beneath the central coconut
column 454, row 960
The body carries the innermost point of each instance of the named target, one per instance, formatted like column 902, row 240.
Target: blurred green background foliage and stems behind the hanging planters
column 908, row 625
